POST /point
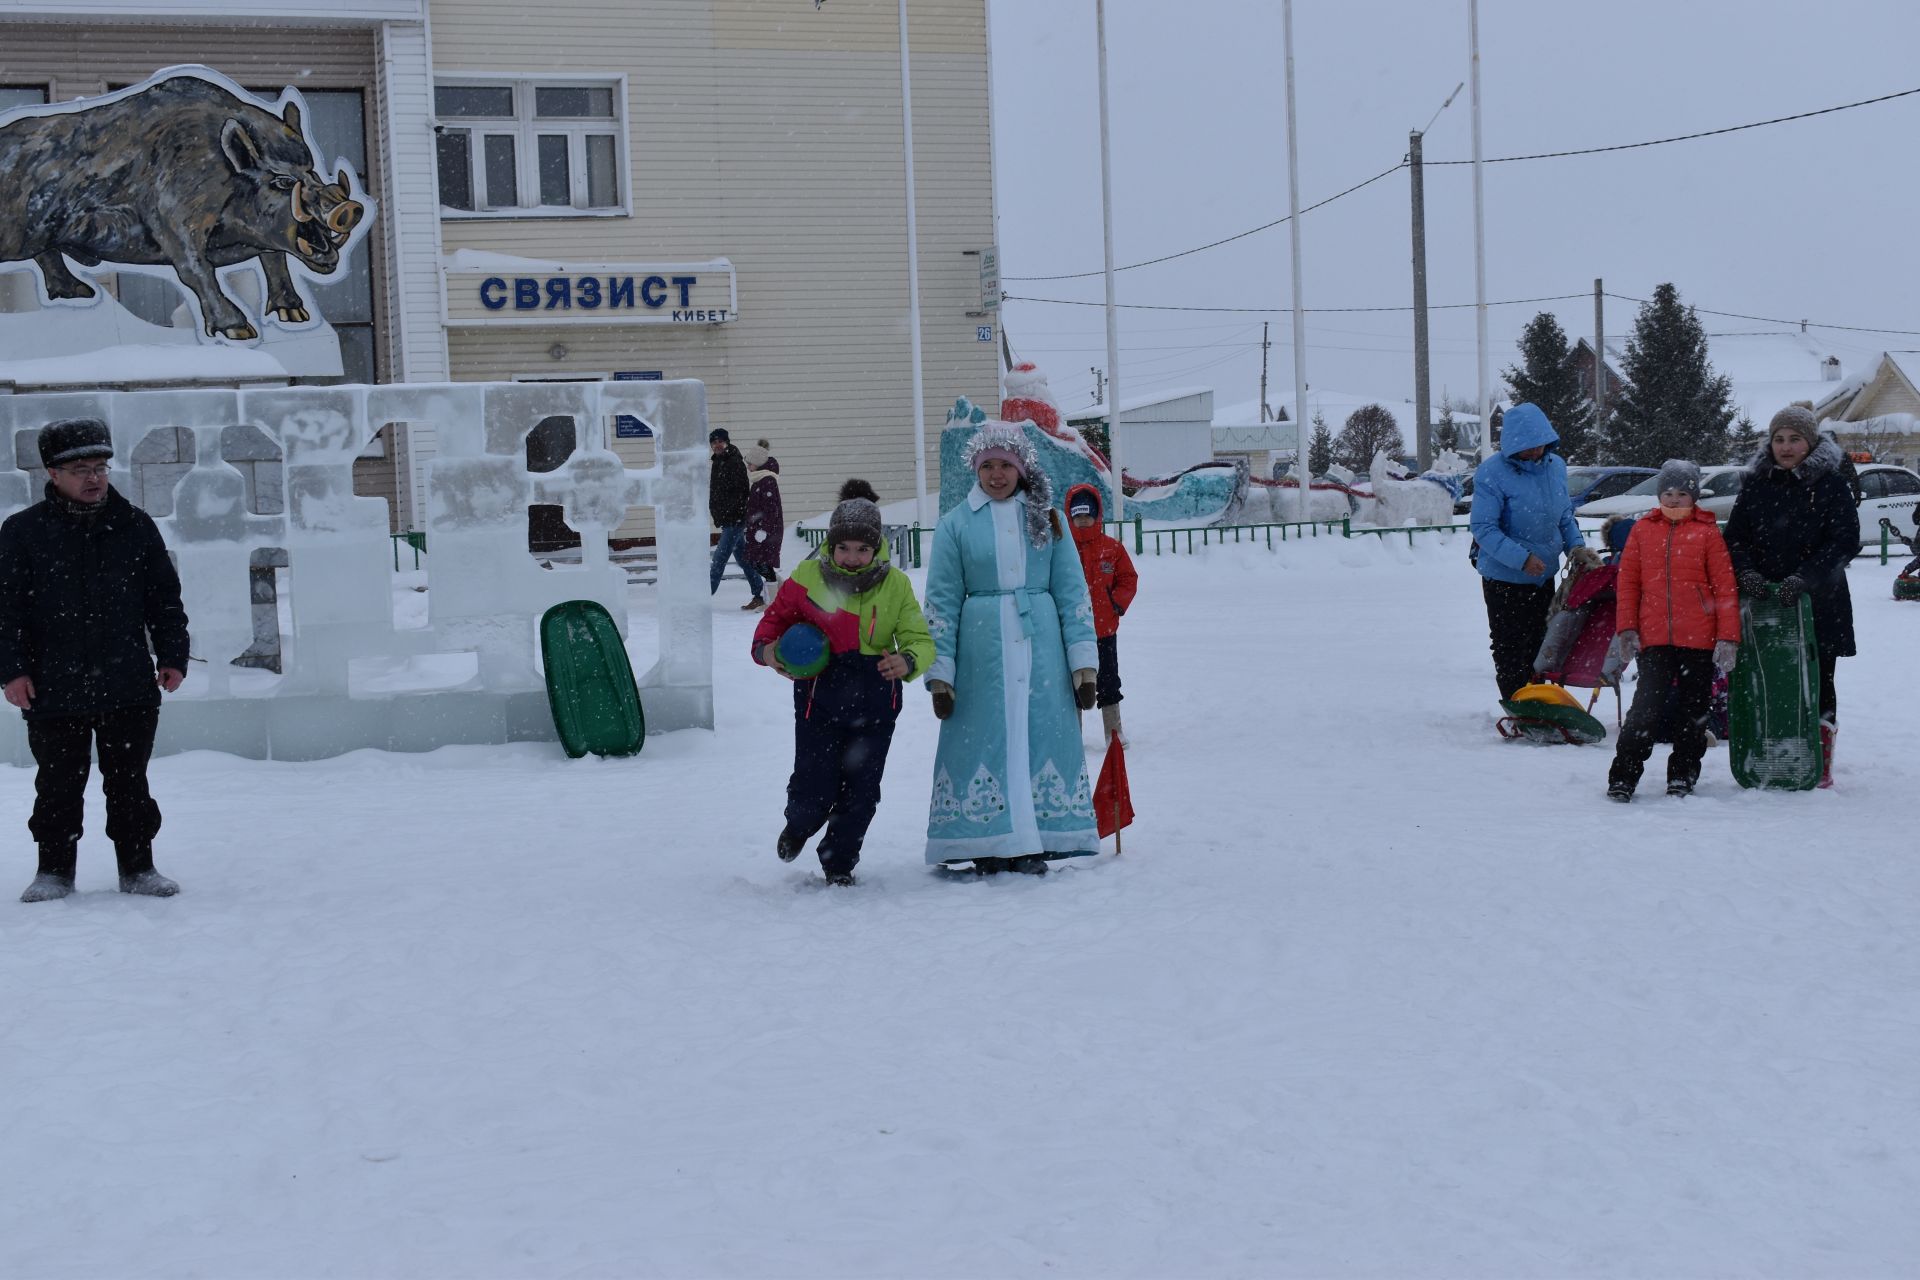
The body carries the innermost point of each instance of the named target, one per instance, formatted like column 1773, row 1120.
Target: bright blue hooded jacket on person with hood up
column 1522, row 510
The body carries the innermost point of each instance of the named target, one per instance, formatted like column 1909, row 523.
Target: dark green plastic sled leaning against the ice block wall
column 590, row 684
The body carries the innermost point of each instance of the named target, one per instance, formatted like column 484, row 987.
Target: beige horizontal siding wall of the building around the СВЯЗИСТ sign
column 769, row 133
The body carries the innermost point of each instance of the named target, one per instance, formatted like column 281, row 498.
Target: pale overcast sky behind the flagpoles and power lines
column 1812, row 220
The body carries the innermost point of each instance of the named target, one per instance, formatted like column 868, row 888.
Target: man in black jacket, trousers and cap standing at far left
column 85, row 590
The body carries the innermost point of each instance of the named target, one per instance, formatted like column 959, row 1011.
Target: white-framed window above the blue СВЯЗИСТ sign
column 531, row 147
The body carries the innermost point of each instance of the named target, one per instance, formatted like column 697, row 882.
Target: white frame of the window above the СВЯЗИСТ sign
column 527, row 130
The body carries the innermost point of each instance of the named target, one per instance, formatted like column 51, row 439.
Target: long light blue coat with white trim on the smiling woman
column 1011, row 625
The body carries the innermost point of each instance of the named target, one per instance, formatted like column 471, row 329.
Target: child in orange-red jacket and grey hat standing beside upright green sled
column 1679, row 611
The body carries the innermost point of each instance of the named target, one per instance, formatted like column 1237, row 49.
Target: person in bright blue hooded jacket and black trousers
column 1522, row 525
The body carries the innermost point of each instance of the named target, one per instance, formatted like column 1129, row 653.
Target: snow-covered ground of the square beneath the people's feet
column 1370, row 993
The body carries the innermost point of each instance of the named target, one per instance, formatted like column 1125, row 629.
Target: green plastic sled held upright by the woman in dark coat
column 1775, row 698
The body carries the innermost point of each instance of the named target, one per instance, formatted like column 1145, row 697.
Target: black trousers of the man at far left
column 64, row 747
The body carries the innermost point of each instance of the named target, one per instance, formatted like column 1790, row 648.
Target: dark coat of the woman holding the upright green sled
column 1802, row 525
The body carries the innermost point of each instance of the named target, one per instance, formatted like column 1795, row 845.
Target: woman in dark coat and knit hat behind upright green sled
column 1794, row 527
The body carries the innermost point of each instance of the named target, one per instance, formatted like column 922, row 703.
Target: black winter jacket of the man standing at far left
column 87, row 605
